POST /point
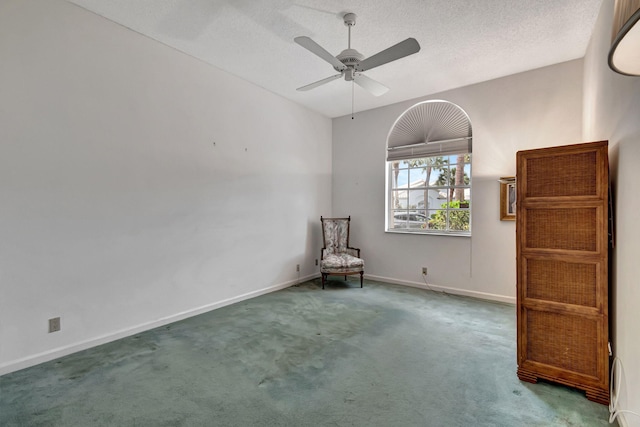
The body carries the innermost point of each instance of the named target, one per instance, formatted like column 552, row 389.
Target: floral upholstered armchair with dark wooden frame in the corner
column 337, row 258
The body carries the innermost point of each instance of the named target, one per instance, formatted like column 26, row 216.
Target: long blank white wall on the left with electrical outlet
column 118, row 213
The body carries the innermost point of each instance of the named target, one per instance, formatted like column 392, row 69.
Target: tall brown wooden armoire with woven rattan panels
column 562, row 265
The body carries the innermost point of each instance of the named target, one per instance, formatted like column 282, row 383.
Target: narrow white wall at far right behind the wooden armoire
column 612, row 111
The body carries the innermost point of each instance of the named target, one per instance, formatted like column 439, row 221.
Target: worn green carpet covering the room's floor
column 384, row 355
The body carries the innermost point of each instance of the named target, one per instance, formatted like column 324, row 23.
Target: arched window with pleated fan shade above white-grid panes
column 429, row 170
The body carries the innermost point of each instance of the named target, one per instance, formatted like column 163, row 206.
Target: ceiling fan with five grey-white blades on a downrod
column 351, row 63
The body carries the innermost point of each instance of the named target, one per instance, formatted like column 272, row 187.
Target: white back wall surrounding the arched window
column 535, row 109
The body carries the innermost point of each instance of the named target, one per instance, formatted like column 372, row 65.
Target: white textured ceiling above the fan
column 462, row 41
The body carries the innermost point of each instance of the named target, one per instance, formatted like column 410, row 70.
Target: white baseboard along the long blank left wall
column 46, row 356
